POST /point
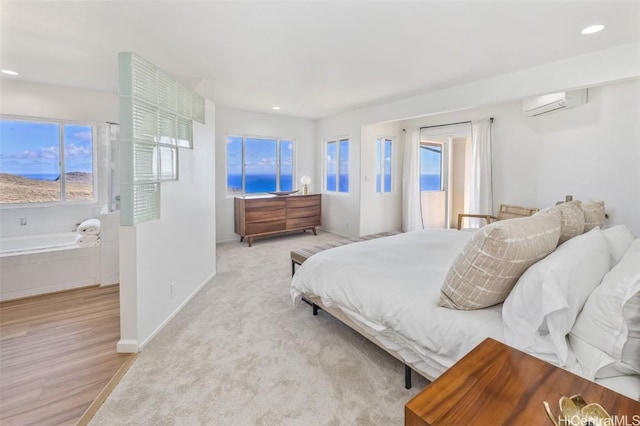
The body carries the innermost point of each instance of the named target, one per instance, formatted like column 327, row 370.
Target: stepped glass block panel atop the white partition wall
column 156, row 118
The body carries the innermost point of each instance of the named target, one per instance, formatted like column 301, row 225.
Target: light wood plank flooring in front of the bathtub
column 57, row 354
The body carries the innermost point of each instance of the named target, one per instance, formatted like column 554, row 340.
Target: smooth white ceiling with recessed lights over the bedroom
column 311, row 58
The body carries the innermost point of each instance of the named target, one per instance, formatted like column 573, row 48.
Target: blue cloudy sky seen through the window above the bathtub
column 34, row 148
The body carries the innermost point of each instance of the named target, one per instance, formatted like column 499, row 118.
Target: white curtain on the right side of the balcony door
column 481, row 194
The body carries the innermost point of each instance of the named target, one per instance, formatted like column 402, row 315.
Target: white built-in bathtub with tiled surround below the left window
column 39, row 264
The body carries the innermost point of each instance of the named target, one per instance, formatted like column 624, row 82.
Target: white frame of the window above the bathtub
column 61, row 161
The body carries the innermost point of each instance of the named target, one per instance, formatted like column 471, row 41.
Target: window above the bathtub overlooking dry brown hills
column 45, row 161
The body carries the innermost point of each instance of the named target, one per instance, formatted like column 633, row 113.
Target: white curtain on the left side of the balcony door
column 411, row 204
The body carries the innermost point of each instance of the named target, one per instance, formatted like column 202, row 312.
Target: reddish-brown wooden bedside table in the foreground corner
column 495, row 384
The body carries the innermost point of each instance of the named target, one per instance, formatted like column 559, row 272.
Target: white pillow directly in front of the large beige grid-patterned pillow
column 544, row 304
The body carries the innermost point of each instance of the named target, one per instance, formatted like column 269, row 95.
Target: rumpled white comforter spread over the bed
column 392, row 286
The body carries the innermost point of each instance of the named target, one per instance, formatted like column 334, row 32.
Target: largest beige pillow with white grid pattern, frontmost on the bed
column 497, row 255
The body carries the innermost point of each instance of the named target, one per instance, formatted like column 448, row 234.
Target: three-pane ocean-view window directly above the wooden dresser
column 256, row 165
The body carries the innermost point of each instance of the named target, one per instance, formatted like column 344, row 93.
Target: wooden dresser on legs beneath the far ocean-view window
column 273, row 214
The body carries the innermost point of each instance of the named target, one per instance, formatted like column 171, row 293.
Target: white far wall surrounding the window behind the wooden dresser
column 229, row 122
